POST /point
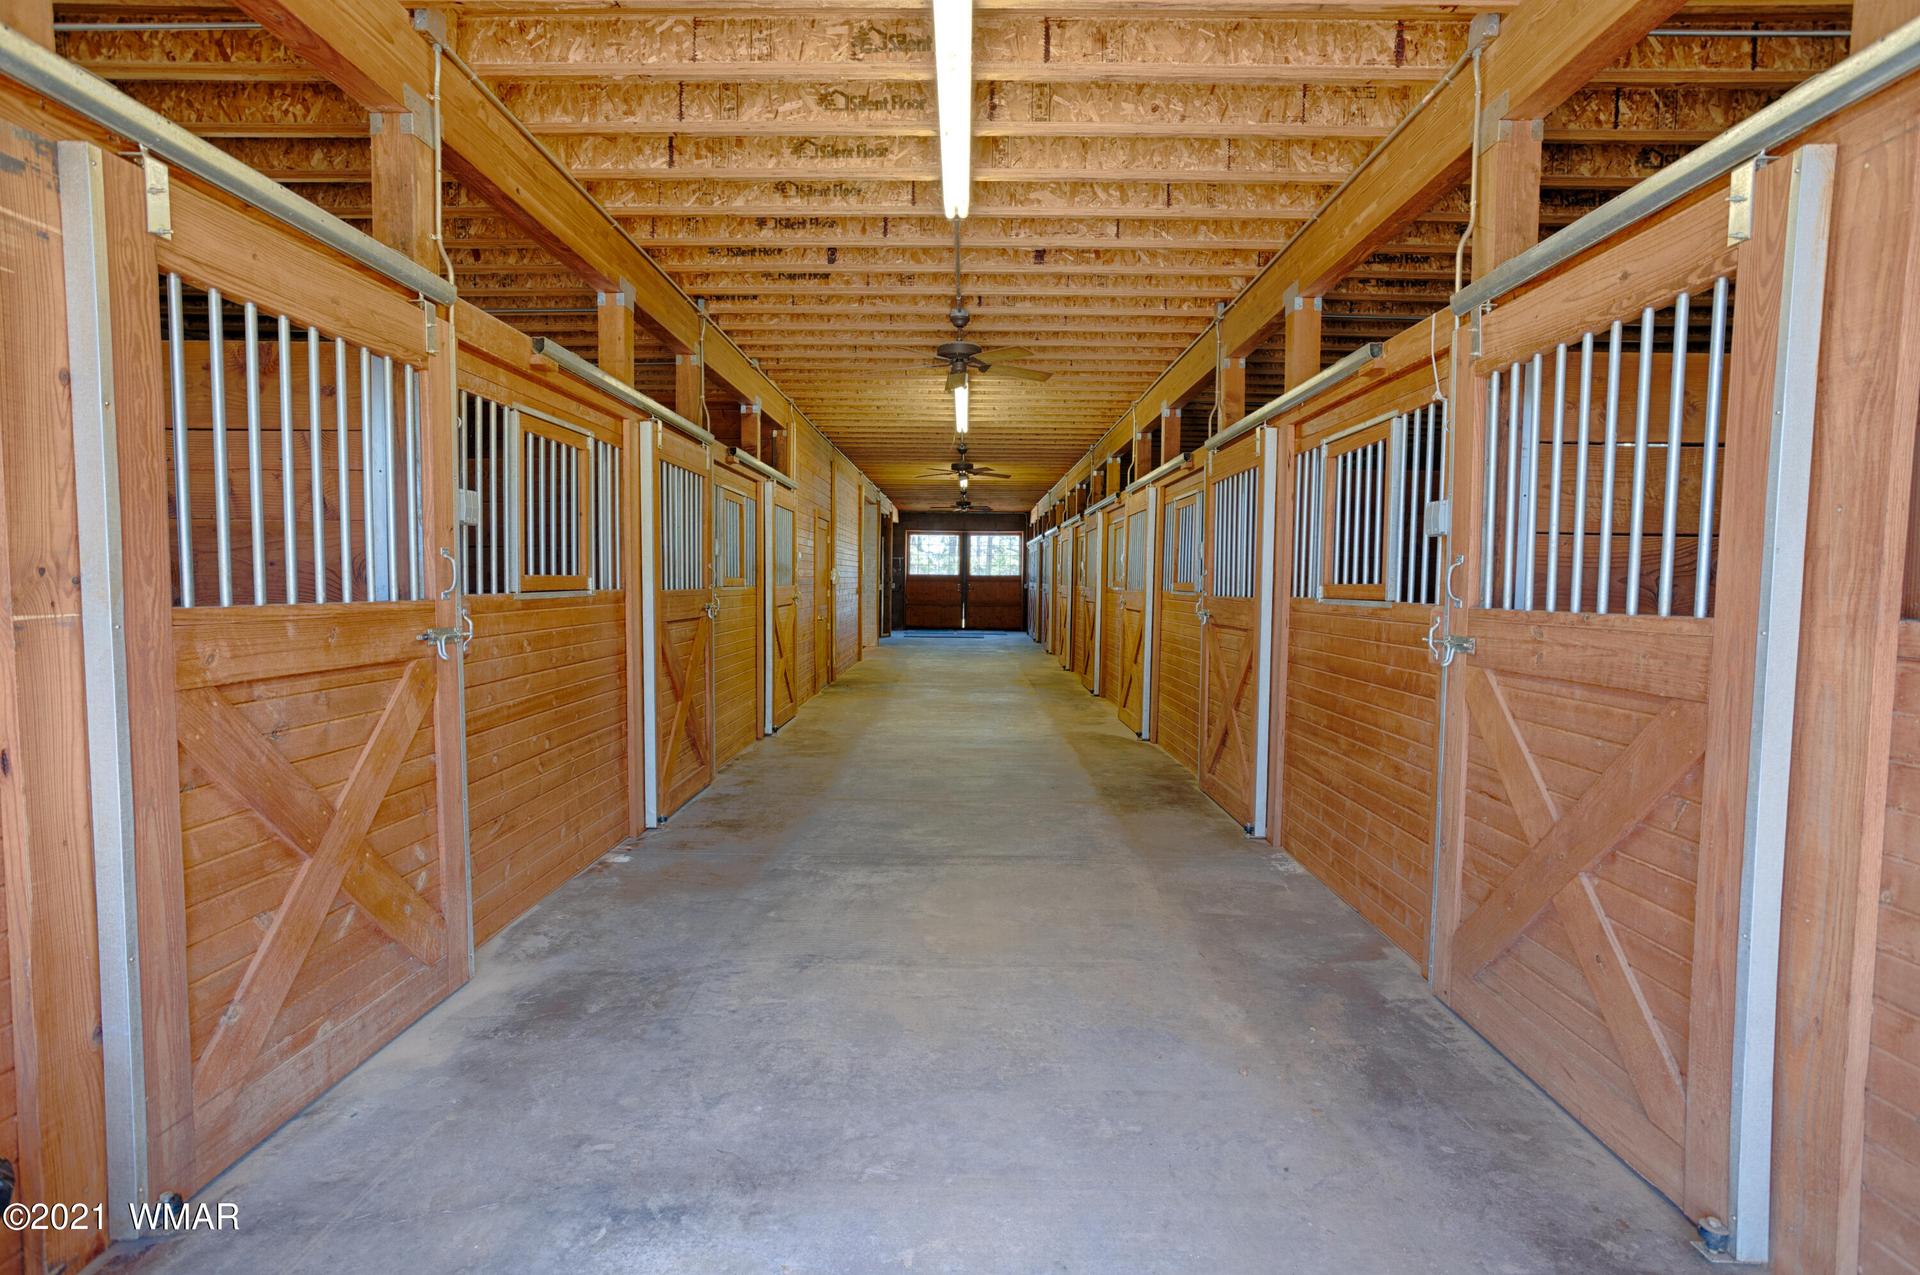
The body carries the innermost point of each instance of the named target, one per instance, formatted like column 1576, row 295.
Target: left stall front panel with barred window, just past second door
column 736, row 644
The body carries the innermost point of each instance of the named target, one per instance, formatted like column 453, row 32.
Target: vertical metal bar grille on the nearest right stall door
column 1650, row 448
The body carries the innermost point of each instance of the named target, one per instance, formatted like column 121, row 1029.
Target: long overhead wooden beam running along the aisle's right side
column 1545, row 53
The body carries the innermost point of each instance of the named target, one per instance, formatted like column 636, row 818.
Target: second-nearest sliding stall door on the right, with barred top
column 1234, row 675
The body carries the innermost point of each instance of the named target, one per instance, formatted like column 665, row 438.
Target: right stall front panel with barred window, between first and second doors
column 1358, row 688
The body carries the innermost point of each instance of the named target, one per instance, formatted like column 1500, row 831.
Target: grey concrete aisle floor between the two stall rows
column 949, row 976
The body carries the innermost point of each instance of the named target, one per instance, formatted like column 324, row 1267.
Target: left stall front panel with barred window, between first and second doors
column 550, row 719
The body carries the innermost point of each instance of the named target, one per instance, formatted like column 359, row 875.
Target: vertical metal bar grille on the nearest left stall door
column 237, row 512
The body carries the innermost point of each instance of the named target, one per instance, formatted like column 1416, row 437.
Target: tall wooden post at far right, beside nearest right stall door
column 1861, row 471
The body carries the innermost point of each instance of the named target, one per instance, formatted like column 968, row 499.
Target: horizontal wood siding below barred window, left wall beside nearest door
column 546, row 746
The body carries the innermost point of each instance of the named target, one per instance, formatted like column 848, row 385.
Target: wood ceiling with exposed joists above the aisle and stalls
column 1136, row 164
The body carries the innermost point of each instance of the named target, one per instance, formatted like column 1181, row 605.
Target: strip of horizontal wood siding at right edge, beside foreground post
column 1890, row 1197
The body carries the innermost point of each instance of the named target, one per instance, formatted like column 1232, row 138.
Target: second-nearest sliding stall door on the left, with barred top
column 684, row 623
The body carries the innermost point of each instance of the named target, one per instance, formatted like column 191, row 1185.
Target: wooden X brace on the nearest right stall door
column 1556, row 873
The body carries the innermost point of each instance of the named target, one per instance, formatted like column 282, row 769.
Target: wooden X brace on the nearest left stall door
column 333, row 842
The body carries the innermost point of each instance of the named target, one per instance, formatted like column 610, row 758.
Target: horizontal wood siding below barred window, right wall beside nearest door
column 1358, row 800
